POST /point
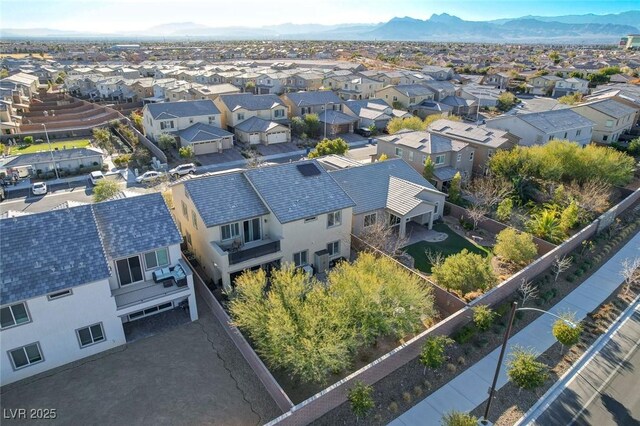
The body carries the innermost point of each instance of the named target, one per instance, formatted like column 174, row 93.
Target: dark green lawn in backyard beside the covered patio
column 452, row 245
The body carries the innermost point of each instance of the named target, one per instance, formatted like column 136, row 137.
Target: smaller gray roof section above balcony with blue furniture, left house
column 135, row 225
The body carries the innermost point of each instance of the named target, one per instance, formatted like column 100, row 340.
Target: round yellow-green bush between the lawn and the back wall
column 464, row 272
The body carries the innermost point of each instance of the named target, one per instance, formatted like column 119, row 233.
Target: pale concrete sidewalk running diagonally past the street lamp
column 470, row 389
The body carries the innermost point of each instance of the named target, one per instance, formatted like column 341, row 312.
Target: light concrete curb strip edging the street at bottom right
column 550, row 396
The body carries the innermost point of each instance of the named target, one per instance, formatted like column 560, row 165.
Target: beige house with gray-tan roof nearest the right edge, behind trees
column 611, row 119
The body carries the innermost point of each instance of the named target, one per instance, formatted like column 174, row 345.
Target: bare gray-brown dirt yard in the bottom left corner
column 189, row 375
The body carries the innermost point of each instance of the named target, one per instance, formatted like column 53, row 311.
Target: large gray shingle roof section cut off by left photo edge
column 46, row 252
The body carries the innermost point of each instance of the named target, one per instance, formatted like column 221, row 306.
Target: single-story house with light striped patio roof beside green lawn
column 391, row 192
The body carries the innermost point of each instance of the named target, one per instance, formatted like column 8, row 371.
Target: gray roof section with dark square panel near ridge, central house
column 292, row 196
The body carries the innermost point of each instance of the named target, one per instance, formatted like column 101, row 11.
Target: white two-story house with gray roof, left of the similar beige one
column 173, row 117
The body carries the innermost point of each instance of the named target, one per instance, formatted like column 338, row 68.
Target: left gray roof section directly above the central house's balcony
column 224, row 198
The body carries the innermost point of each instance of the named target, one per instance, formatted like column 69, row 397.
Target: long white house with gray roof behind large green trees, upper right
column 538, row 128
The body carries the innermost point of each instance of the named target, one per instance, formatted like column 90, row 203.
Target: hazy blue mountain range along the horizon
column 570, row 29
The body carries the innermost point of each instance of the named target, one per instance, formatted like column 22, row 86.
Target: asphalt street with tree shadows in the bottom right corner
column 607, row 390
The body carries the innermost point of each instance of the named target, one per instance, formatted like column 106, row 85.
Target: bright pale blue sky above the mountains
column 134, row 15
